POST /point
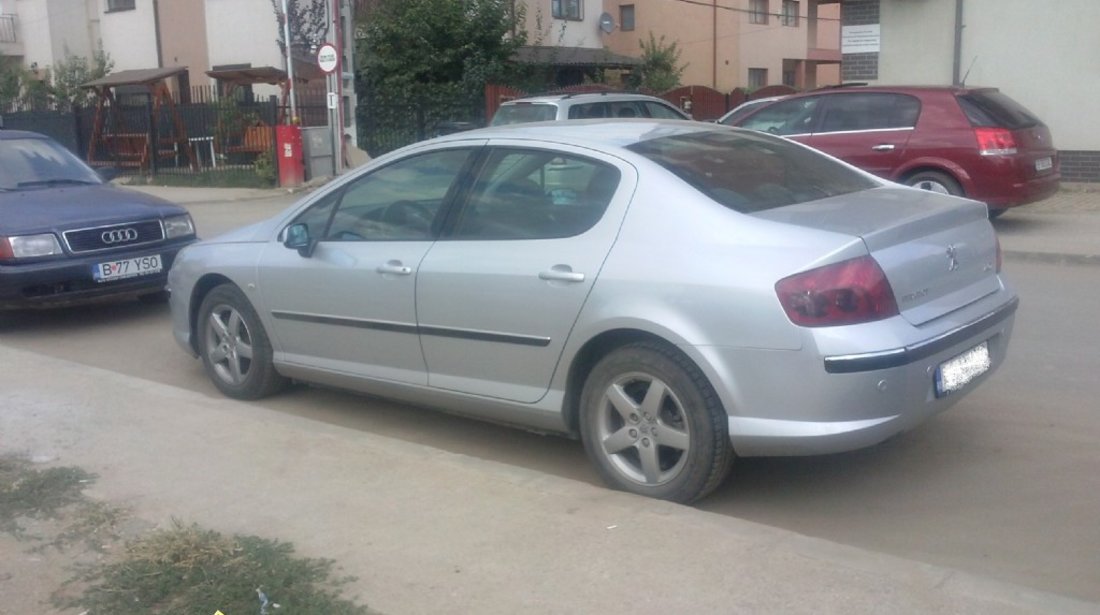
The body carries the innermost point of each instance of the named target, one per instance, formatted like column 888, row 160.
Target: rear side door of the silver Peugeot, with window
column 498, row 296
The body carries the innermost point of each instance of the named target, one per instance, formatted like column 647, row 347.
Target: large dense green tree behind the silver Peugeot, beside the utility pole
column 425, row 62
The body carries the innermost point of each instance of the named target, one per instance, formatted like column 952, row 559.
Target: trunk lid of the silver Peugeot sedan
column 939, row 252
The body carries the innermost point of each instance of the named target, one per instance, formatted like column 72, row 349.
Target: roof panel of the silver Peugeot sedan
column 598, row 134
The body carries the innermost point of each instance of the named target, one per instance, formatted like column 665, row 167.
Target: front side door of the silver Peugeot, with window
column 349, row 307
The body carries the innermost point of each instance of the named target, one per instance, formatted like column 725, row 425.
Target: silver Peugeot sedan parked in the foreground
column 674, row 293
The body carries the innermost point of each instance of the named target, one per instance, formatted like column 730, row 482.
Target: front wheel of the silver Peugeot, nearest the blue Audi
column 235, row 348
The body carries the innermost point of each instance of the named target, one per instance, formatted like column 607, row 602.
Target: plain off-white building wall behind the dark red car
column 1046, row 56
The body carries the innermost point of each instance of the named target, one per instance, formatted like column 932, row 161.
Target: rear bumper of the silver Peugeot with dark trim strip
column 810, row 402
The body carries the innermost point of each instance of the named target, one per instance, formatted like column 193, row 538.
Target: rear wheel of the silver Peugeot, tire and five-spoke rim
column 675, row 446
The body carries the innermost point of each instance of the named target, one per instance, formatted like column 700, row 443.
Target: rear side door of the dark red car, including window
column 870, row 130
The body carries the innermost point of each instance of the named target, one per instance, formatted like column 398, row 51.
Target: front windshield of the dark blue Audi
column 35, row 163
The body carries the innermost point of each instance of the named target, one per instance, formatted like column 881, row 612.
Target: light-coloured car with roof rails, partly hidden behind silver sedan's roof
column 585, row 107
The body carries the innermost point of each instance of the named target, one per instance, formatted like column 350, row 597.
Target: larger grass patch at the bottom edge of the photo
column 186, row 569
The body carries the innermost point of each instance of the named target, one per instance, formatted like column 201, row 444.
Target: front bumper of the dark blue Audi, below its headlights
column 70, row 281
